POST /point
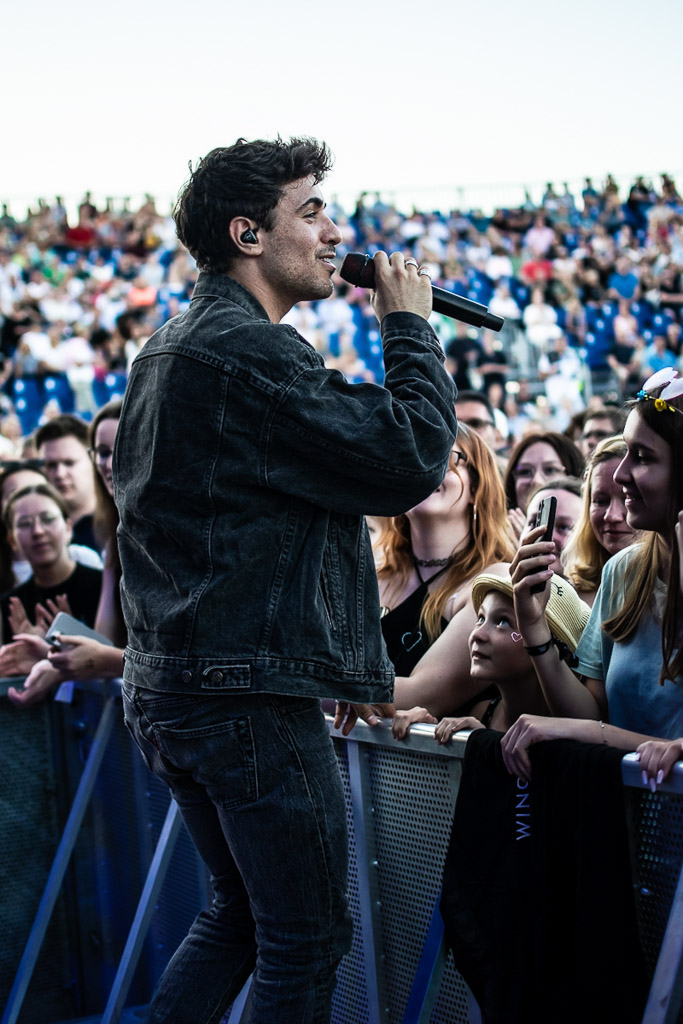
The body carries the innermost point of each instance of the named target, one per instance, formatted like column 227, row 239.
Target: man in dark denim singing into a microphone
column 243, row 471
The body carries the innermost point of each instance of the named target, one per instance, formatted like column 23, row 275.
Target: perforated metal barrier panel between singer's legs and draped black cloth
column 408, row 807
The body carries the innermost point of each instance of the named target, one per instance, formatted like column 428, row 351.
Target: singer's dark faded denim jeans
column 258, row 783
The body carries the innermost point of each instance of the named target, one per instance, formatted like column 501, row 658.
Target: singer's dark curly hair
column 246, row 180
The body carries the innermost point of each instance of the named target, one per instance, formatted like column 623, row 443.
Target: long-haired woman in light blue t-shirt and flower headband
column 628, row 685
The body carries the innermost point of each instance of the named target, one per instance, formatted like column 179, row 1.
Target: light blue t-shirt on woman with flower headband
column 631, row 669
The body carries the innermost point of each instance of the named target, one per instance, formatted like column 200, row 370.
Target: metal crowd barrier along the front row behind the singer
column 139, row 882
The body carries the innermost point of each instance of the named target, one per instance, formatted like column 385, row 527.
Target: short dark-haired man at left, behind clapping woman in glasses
column 64, row 445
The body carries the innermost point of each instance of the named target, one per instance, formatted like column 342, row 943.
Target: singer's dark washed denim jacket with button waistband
column 243, row 470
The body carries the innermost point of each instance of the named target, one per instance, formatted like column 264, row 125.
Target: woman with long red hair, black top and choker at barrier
column 429, row 561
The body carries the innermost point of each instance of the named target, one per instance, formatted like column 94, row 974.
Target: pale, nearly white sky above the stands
column 414, row 99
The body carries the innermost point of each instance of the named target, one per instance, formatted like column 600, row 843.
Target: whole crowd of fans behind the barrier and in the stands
column 591, row 291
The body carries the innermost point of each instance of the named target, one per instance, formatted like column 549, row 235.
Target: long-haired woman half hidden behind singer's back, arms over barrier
column 83, row 658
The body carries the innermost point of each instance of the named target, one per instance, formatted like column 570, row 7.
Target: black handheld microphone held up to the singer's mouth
column 362, row 271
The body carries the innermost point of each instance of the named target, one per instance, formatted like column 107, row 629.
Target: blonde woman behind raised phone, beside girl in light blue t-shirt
column 603, row 529
